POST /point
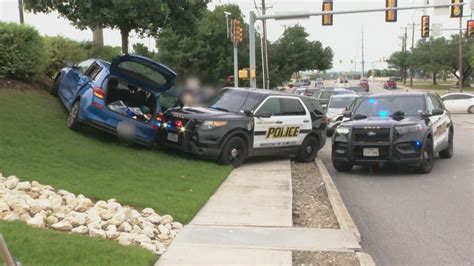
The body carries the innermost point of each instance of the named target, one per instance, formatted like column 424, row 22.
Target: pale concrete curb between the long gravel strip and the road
column 340, row 209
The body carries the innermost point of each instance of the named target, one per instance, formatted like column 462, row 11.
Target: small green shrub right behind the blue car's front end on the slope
column 61, row 51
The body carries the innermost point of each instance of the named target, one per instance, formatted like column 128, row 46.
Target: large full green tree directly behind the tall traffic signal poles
column 206, row 52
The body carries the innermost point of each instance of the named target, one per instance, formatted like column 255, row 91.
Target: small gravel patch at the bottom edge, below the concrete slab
column 324, row 258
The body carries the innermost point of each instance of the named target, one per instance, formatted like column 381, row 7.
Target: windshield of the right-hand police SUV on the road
column 385, row 106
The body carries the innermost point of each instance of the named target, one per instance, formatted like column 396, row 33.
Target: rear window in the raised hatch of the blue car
column 142, row 72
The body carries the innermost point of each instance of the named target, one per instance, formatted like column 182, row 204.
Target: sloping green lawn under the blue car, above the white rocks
column 35, row 144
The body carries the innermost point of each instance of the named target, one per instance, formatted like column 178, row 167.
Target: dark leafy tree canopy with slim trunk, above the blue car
column 144, row 17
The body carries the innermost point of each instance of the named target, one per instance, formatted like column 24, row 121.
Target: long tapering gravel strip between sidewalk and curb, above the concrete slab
column 311, row 206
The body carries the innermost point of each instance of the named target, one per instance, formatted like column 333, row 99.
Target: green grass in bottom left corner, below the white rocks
column 45, row 247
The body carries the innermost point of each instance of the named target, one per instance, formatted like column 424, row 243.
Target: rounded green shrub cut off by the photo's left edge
column 21, row 51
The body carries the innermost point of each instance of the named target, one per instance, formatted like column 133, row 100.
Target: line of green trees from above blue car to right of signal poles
column 190, row 38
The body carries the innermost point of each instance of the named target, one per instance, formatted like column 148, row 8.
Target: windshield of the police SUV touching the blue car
column 230, row 100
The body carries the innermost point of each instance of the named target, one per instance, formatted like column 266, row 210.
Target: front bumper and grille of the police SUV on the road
column 398, row 150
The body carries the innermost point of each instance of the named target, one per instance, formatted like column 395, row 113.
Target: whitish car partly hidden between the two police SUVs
column 336, row 107
